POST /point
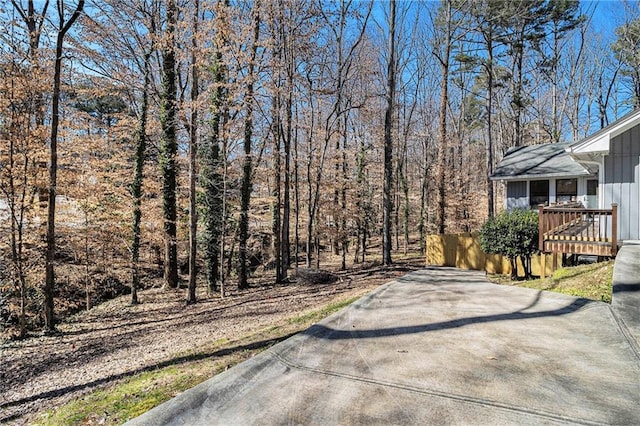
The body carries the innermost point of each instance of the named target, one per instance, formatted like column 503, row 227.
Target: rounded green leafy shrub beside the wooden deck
column 512, row 234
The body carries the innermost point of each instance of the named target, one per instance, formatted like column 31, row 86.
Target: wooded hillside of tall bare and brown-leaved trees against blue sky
column 201, row 140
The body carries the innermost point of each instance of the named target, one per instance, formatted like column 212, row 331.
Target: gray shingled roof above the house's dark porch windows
column 538, row 162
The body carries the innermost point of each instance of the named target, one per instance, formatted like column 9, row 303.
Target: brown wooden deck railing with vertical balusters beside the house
column 578, row 230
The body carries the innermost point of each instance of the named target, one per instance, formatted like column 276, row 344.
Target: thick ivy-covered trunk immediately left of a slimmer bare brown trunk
column 169, row 146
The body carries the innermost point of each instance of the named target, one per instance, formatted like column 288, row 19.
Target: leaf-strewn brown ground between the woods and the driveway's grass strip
column 115, row 340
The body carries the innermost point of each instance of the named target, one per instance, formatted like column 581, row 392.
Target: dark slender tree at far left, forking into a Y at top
column 62, row 28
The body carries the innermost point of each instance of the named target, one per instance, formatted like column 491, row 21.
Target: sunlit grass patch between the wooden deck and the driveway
column 593, row 281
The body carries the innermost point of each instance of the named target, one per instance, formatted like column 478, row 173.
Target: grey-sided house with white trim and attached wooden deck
column 591, row 188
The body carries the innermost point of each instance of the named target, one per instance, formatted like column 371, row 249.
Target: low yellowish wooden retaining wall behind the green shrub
column 463, row 251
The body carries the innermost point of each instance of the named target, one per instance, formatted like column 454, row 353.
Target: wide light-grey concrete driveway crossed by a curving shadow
column 437, row 346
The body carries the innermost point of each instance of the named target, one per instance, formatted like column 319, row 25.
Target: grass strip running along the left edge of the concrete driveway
column 133, row 396
